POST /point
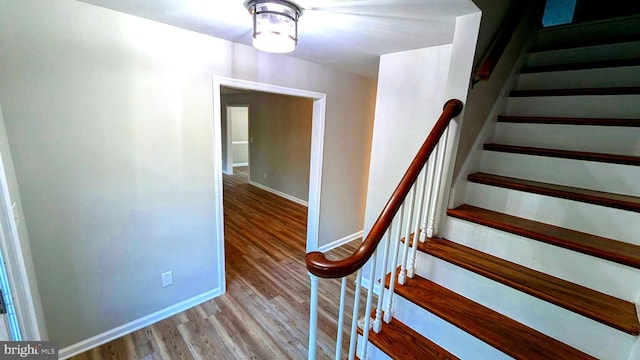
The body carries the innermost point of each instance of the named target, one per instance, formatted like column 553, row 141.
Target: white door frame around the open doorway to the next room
column 315, row 163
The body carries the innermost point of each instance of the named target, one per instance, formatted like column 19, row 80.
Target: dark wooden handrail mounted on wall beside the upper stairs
column 514, row 17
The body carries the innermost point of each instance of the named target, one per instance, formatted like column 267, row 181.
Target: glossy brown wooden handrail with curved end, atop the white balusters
column 316, row 261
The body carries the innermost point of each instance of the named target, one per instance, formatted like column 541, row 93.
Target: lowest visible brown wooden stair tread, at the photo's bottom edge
column 401, row 342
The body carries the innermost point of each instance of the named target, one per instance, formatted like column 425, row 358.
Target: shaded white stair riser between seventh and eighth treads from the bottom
column 609, row 106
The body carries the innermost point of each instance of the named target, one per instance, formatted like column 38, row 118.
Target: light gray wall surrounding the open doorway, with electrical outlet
column 110, row 124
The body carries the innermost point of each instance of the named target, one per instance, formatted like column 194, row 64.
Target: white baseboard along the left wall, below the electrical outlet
column 137, row 324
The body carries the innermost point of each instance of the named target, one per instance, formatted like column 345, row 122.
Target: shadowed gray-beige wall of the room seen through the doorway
column 280, row 128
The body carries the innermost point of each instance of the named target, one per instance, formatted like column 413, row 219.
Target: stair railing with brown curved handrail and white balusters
column 410, row 211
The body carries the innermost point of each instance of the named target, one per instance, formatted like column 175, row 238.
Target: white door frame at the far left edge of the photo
column 17, row 254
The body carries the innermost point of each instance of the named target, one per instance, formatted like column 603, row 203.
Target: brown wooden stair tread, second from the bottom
column 495, row 329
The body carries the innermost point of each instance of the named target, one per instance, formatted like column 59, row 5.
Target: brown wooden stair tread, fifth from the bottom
column 618, row 201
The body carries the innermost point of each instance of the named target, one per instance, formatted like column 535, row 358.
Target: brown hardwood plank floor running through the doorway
column 265, row 312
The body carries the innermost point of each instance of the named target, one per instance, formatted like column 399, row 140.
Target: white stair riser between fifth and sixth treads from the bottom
column 613, row 178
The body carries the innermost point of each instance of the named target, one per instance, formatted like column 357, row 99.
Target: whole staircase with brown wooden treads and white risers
column 542, row 261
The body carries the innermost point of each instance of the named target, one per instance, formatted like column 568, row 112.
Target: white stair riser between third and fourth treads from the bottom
column 605, row 276
